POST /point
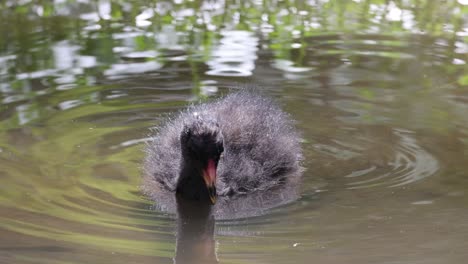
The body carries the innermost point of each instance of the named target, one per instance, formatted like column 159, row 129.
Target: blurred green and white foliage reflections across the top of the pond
column 59, row 45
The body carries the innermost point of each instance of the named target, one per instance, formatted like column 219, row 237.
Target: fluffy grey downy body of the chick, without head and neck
column 261, row 146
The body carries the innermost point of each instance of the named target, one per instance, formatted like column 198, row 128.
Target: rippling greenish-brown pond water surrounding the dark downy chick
column 379, row 90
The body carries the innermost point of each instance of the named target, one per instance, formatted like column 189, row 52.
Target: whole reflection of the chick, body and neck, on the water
column 195, row 235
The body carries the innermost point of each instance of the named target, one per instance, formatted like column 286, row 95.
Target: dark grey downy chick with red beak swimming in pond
column 238, row 144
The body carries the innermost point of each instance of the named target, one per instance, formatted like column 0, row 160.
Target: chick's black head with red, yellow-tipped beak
column 202, row 146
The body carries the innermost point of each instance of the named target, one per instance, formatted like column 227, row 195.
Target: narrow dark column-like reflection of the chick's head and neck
column 195, row 232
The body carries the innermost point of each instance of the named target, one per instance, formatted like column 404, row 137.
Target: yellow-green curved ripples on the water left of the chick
column 81, row 182
